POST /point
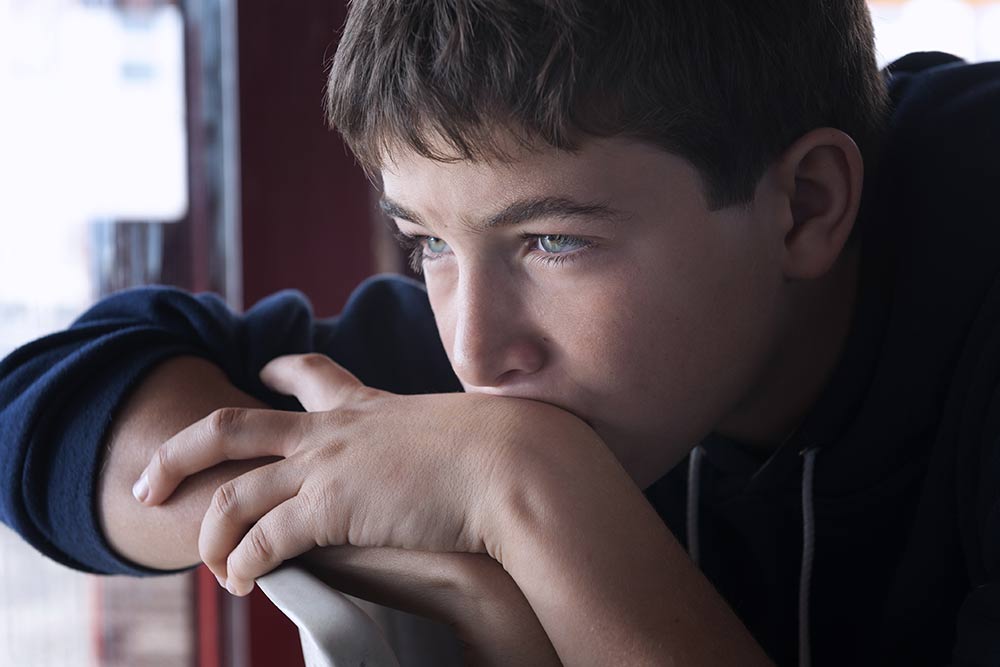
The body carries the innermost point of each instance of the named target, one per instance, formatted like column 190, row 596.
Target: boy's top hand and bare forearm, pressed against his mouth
column 525, row 482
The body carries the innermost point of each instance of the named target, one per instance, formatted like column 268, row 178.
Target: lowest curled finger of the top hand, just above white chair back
column 282, row 533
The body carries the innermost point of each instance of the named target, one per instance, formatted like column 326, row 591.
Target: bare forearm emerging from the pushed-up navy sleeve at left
column 174, row 395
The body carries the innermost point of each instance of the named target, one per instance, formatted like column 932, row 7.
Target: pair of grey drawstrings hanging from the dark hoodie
column 808, row 535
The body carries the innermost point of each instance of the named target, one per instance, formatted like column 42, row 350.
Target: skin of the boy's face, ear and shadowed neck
column 676, row 321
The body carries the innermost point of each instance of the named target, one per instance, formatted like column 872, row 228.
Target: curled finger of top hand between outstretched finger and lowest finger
column 239, row 504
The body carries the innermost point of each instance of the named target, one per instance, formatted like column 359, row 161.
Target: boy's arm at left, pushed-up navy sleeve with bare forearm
column 63, row 397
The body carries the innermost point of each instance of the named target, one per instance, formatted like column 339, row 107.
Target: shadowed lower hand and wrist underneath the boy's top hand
column 469, row 592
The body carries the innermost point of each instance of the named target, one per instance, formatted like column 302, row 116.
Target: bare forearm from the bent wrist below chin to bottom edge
column 607, row 580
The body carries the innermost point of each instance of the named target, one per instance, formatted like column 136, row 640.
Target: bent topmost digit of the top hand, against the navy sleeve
column 316, row 380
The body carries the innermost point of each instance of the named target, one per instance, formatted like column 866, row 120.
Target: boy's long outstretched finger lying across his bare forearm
column 225, row 435
